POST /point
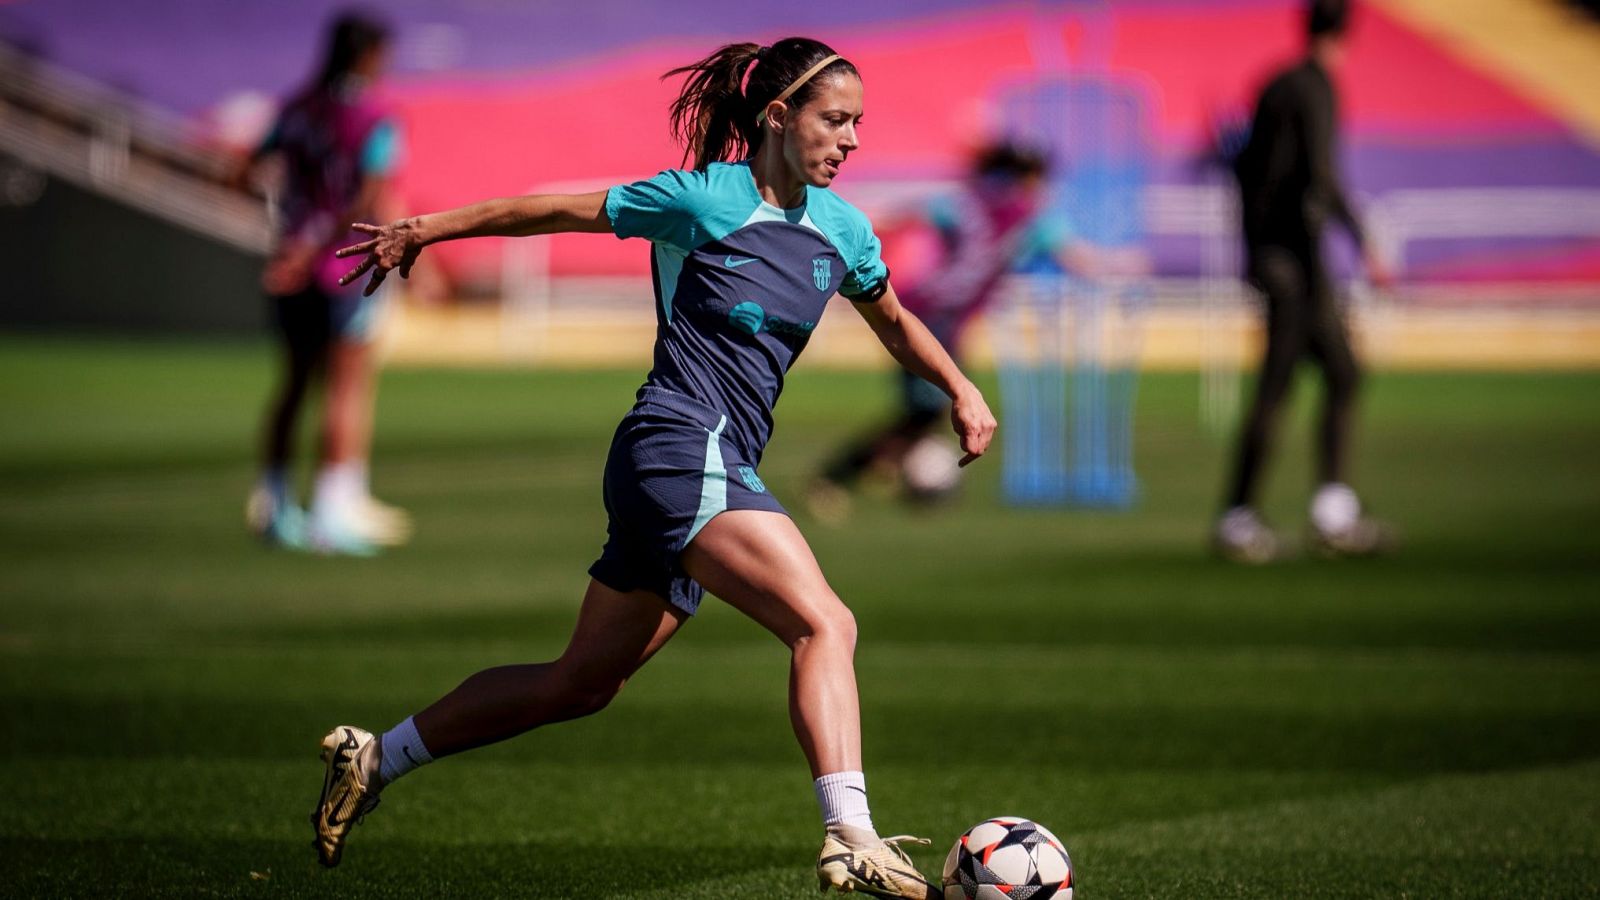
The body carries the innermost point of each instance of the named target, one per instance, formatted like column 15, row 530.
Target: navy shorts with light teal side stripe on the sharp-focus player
column 671, row 470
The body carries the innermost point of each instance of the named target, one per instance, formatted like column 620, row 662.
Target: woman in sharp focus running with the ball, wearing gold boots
column 746, row 257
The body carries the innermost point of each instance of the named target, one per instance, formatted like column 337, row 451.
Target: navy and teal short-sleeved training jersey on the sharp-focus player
column 742, row 284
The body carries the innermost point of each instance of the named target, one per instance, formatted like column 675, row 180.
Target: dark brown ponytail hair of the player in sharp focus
column 716, row 113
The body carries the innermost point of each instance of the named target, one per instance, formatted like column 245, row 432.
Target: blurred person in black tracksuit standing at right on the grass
column 1289, row 191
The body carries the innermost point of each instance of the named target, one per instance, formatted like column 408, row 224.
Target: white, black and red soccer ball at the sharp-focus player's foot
column 1009, row 859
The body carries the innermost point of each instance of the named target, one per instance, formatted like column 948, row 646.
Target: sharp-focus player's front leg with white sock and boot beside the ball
column 762, row 566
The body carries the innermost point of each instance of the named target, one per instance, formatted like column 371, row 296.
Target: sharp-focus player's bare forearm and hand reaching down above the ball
column 919, row 352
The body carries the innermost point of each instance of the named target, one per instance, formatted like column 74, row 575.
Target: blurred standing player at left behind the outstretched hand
column 338, row 151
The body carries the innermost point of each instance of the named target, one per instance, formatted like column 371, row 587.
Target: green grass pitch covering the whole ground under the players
column 1423, row 726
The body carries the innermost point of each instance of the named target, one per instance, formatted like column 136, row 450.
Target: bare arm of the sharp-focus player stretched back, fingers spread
column 398, row 244
